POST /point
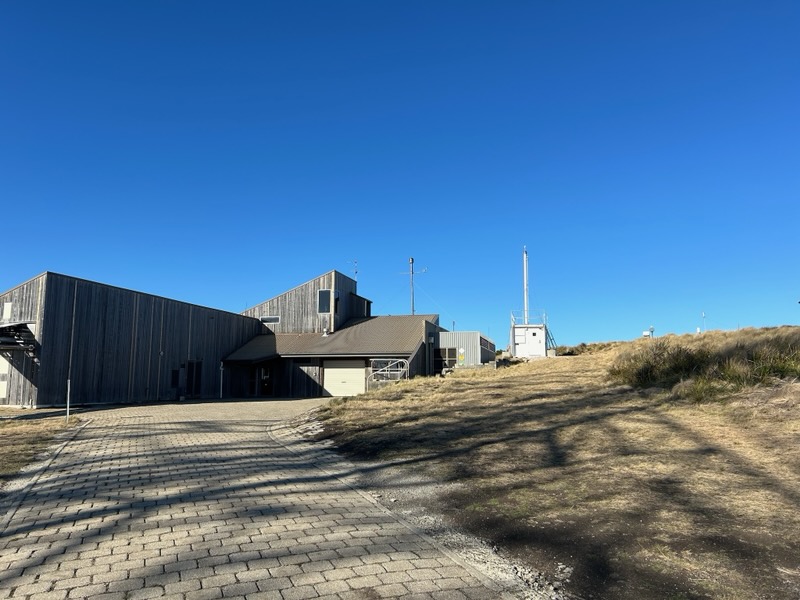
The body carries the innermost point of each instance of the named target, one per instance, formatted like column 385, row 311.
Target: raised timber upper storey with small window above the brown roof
column 297, row 308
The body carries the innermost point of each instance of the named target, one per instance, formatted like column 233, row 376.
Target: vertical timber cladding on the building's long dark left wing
column 118, row 346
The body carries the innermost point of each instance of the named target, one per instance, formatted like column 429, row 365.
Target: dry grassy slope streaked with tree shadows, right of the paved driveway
column 644, row 495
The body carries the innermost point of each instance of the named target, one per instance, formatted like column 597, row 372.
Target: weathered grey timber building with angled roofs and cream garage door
column 62, row 336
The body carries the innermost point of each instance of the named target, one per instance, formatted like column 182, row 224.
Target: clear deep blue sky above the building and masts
column 646, row 153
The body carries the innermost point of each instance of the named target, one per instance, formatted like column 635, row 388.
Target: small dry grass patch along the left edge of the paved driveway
column 24, row 435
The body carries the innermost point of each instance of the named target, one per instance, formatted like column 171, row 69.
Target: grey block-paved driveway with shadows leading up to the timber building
column 211, row 500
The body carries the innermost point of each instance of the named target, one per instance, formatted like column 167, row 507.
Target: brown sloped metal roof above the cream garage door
column 372, row 336
